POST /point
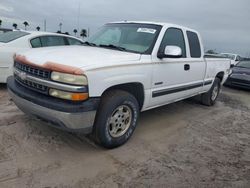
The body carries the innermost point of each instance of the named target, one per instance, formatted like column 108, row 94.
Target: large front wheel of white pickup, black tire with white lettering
column 116, row 119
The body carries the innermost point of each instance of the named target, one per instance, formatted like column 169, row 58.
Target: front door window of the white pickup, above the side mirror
column 173, row 37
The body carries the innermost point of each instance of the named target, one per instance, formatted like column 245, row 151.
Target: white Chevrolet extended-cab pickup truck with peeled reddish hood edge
column 125, row 68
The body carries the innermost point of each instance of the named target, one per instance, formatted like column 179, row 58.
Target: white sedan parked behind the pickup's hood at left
column 16, row 41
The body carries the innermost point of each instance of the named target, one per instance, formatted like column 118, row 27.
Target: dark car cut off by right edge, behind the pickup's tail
column 240, row 76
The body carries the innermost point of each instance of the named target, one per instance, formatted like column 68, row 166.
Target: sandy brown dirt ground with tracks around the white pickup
column 180, row 145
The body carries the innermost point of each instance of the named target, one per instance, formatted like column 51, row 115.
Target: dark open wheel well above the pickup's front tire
column 136, row 89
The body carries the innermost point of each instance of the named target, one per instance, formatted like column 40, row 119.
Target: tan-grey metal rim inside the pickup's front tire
column 120, row 121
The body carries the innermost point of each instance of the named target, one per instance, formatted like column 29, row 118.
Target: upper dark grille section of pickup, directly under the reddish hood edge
column 41, row 73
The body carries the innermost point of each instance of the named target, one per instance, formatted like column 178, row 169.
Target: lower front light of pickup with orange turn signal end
column 68, row 95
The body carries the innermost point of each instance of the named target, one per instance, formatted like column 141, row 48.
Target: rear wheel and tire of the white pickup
column 210, row 97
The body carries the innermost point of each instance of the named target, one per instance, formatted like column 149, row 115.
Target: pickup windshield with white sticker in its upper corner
column 138, row 38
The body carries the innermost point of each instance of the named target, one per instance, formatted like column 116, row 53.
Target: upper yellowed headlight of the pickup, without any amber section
column 69, row 78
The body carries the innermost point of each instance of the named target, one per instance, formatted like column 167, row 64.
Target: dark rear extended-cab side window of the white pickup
column 194, row 44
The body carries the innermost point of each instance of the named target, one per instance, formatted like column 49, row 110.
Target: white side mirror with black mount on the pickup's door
column 171, row 52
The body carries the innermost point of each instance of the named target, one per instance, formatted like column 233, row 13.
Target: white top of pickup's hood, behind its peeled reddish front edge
column 84, row 57
